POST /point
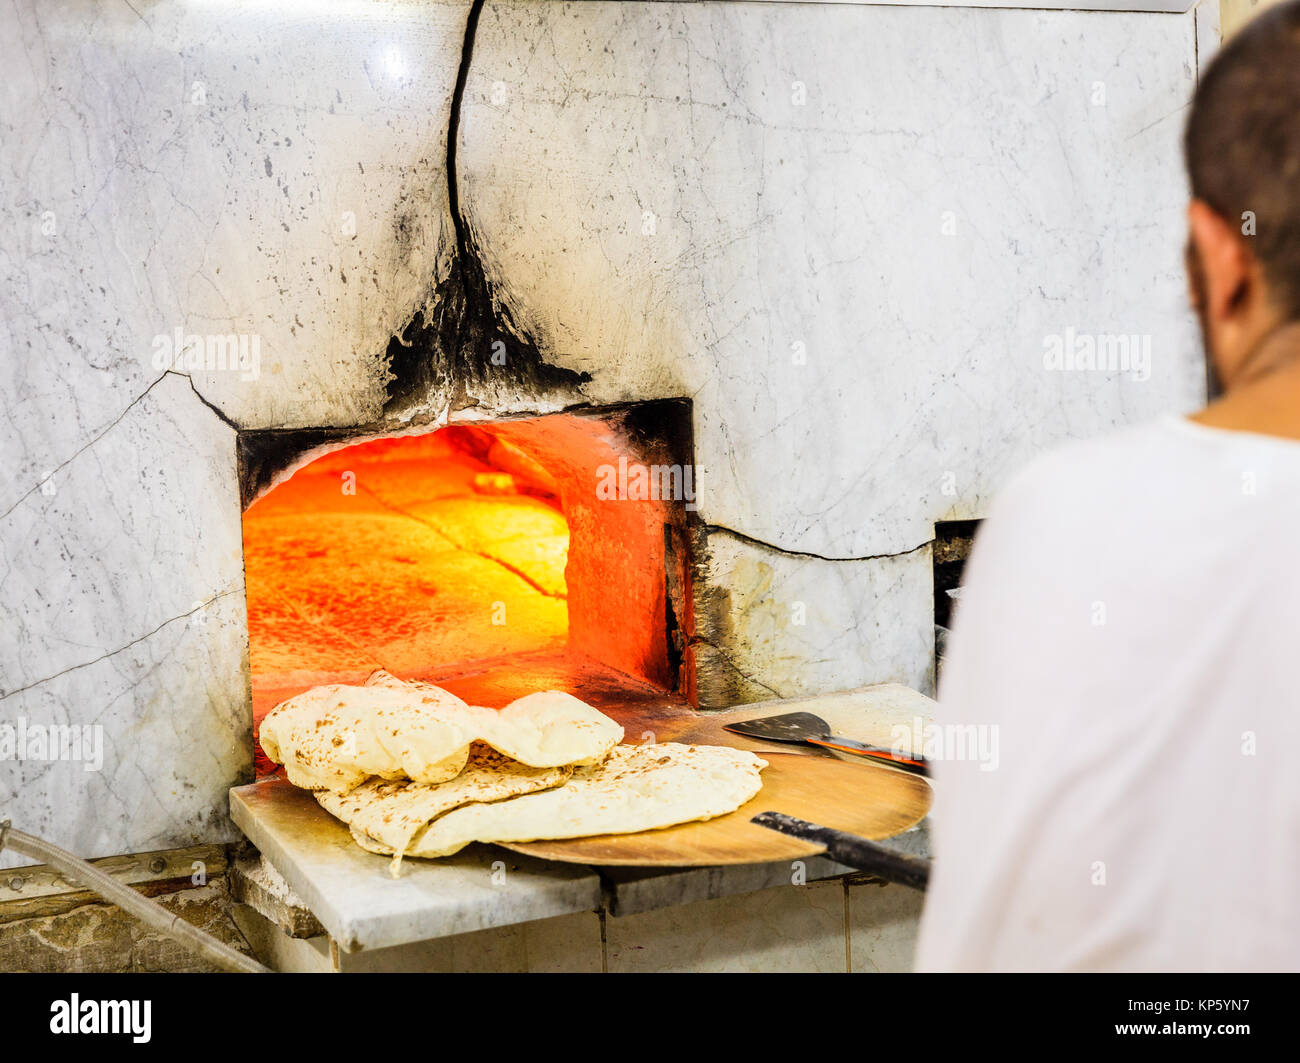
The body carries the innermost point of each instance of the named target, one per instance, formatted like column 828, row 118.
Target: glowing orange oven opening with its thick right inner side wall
column 495, row 559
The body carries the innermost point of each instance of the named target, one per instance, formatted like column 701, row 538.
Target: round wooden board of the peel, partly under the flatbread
column 865, row 800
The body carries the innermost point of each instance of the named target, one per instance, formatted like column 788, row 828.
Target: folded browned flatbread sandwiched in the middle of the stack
column 392, row 813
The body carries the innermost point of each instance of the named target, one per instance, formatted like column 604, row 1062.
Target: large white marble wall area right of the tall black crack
column 857, row 374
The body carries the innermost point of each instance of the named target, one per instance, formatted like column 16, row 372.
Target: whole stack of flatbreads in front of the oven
column 415, row 771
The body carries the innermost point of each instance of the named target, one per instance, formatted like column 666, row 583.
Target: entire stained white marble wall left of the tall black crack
column 185, row 166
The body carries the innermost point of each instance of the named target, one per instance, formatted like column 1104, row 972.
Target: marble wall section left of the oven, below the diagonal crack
column 123, row 611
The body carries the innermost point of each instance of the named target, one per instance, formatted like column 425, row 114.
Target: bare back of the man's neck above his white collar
column 1266, row 398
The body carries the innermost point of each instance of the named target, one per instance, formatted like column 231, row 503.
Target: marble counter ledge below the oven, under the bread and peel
column 361, row 906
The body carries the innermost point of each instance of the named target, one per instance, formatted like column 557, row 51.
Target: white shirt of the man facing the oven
column 1129, row 639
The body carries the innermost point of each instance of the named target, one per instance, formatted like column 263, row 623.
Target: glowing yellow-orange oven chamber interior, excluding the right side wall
column 401, row 554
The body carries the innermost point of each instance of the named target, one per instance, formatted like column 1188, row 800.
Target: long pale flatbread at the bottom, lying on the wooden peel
column 638, row 788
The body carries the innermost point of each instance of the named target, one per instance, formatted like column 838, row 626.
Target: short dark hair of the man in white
column 1243, row 144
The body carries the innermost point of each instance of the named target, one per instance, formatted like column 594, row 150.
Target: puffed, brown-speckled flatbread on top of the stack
column 336, row 737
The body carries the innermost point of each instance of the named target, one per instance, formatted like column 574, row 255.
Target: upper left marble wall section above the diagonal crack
column 219, row 168
